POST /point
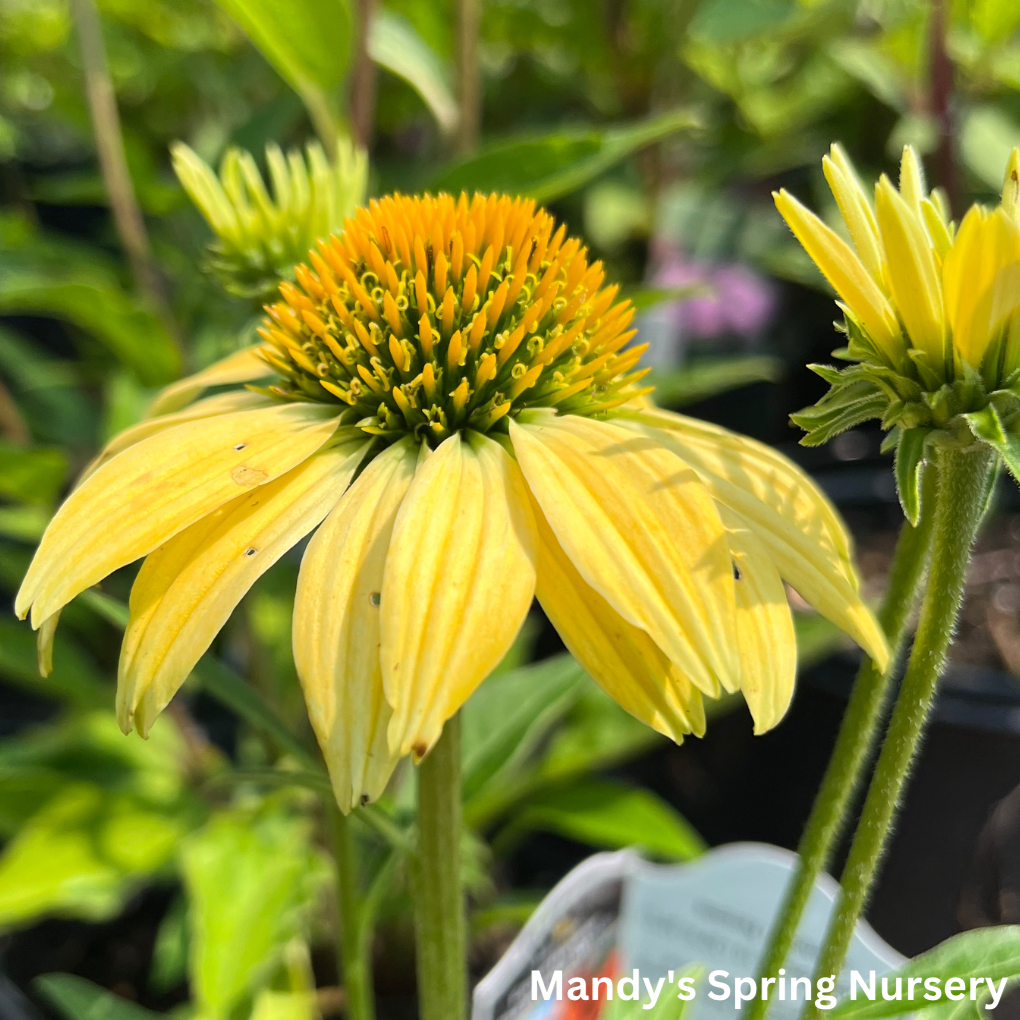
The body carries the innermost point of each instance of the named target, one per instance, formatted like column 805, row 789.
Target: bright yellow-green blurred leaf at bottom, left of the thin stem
column 251, row 883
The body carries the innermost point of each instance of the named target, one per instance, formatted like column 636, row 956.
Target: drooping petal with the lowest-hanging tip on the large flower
column 337, row 618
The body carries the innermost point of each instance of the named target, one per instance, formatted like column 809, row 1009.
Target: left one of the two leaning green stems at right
column 855, row 740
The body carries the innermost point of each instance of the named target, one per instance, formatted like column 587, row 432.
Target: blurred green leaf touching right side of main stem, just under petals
column 506, row 718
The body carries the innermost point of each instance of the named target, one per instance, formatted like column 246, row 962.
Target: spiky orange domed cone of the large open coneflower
column 430, row 316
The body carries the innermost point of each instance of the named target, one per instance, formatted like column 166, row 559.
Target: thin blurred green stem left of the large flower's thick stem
column 353, row 950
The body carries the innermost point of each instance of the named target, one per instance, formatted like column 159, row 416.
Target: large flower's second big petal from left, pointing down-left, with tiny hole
column 188, row 588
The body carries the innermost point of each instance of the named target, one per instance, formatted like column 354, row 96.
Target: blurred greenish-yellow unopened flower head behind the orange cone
column 262, row 232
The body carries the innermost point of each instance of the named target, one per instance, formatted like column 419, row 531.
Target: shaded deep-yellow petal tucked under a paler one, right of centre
column 620, row 657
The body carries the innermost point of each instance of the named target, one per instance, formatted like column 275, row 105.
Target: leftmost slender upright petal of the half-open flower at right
column 841, row 267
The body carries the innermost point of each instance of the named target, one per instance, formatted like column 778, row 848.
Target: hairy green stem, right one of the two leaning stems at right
column 960, row 503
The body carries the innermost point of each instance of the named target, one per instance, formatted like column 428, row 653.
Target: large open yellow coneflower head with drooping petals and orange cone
column 446, row 398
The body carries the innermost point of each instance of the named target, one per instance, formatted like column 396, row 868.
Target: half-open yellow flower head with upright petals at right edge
column 931, row 314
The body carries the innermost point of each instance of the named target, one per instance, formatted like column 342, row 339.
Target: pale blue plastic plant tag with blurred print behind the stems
column 618, row 924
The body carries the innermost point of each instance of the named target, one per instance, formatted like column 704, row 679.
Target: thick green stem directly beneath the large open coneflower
column 440, row 923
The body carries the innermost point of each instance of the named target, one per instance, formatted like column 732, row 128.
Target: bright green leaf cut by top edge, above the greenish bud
column 309, row 42
